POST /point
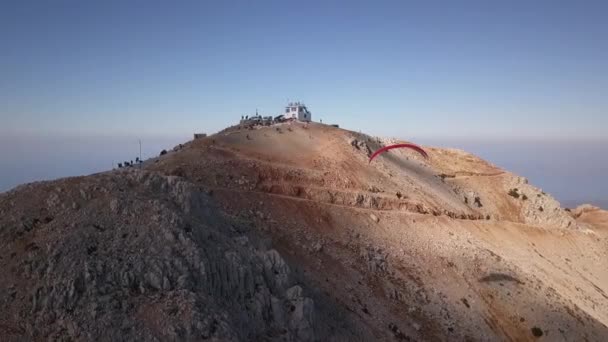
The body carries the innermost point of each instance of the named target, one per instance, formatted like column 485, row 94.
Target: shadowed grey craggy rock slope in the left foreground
column 138, row 256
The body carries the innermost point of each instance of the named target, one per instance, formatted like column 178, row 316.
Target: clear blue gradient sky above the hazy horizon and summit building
column 530, row 69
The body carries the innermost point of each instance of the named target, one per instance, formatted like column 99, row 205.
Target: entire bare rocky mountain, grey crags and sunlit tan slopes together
column 288, row 233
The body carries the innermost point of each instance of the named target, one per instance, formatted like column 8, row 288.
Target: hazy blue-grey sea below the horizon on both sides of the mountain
column 574, row 173
